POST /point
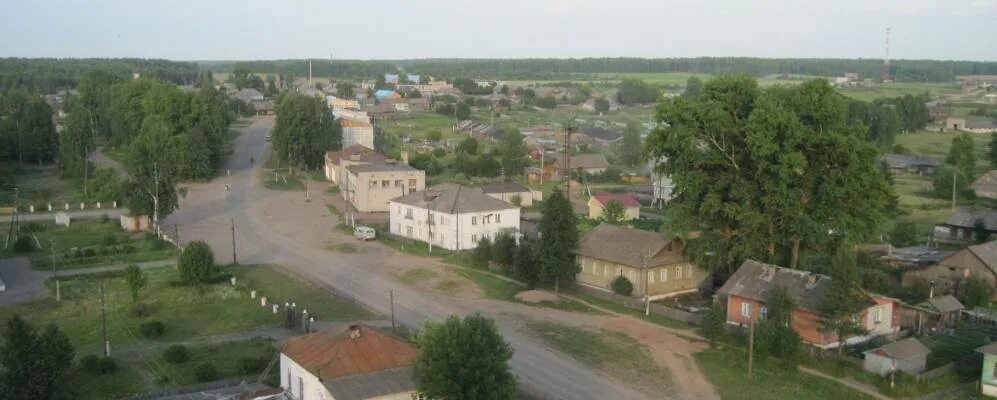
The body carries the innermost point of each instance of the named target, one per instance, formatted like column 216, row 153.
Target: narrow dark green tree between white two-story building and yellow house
column 558, row 239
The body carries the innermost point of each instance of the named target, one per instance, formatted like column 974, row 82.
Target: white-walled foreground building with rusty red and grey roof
column 358, row 363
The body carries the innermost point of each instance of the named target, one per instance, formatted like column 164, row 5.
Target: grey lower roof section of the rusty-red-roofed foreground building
column 371, row 385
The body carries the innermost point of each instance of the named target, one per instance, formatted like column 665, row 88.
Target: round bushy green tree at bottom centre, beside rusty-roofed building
column 464, row 359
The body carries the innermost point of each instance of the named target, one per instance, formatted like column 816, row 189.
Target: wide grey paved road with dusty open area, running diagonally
column 208, row 210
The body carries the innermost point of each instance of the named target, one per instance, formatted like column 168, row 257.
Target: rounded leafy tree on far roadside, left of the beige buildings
column 304, row 131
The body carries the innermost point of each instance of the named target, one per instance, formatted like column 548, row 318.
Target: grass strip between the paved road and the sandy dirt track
column 613, row 353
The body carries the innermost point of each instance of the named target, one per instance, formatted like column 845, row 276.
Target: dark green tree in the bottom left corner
column 35, row 365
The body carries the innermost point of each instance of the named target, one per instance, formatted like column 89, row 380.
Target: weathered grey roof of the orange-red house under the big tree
column 754, row 279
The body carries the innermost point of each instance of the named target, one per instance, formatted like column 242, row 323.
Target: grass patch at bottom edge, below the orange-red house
column 727, row 370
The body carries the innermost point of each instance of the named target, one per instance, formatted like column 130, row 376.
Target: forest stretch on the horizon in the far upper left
column 47, row 75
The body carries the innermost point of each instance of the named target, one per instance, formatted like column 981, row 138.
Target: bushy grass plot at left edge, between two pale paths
column 90, row 243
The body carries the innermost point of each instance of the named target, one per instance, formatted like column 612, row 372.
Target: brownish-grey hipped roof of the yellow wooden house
column 627, row 246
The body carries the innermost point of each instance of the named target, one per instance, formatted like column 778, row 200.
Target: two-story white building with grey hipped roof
column 452, row 216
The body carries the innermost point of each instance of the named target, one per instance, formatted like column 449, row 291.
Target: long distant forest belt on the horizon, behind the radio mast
column 562, row 68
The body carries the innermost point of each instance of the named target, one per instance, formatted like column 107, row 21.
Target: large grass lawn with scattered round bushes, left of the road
column 187, row 312
